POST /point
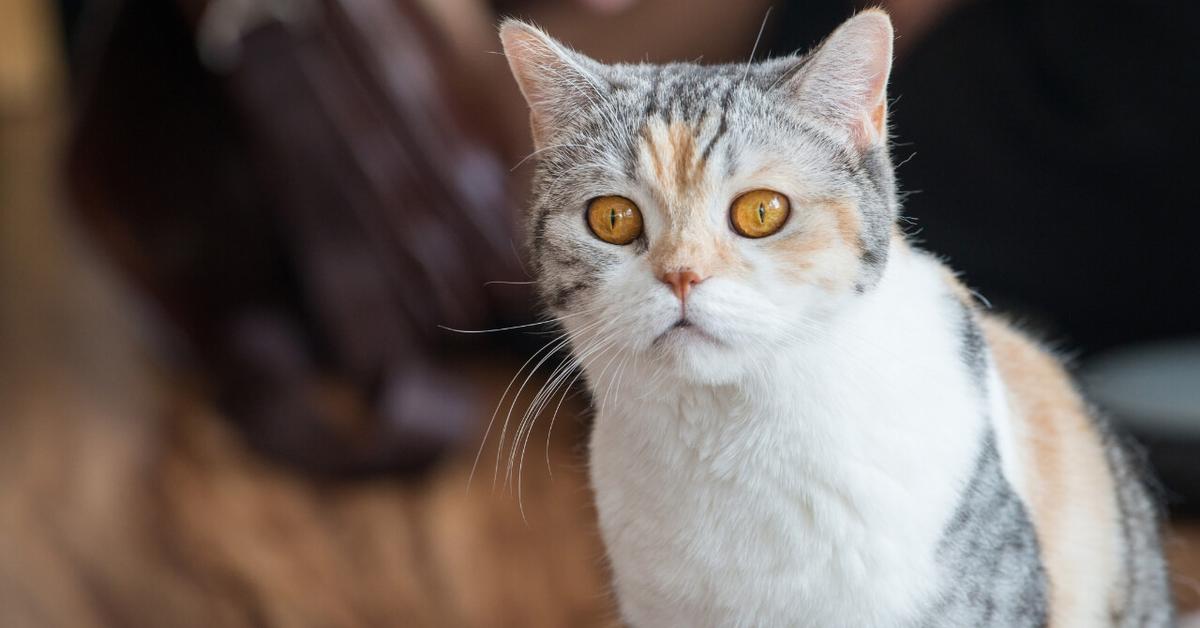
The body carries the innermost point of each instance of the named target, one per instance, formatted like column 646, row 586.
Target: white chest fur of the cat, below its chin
column 813, row 495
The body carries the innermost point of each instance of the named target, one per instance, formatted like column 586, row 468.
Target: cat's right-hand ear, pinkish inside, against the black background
column 845, row 81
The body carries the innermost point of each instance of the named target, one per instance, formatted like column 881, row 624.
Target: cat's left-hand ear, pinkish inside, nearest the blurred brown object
column 555, row 80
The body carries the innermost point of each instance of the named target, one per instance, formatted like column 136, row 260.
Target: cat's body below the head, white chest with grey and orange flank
column 771, row 504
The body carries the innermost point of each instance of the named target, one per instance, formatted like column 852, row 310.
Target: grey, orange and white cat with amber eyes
column 802, row 420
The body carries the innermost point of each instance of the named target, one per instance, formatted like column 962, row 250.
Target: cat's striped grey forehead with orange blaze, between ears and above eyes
column 680, row 128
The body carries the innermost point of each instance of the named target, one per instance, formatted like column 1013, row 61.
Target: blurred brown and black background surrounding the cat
column 231, row 230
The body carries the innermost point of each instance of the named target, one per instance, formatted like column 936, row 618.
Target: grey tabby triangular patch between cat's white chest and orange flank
column 993, row 573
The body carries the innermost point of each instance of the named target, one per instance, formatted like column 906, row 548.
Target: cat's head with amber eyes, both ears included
column 707, row 214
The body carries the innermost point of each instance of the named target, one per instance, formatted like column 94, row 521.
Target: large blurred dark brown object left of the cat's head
column 308, row 200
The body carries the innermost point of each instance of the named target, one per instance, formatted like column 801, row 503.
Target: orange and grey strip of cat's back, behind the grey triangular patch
column 1097, row 528
